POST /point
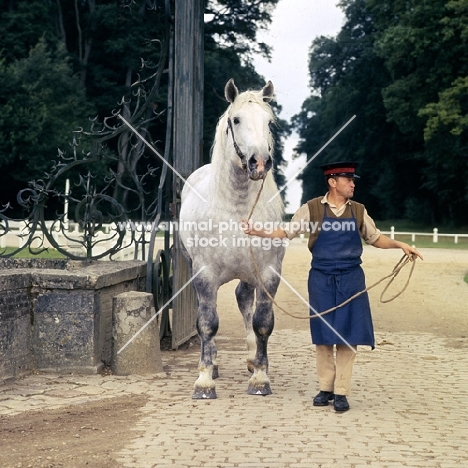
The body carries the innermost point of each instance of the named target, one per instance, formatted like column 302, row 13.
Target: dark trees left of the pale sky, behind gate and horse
column 64, row 62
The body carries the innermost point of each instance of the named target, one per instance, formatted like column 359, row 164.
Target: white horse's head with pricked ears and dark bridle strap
column 248, row 122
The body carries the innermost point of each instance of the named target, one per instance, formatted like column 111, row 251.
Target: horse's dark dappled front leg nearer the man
column 262, row 323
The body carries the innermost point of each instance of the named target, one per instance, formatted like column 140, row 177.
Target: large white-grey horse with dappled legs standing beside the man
column 214, row 200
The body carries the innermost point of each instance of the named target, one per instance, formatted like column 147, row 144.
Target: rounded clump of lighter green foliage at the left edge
column 41, row 101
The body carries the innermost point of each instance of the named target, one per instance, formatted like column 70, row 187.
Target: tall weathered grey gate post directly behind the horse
column 188, row 146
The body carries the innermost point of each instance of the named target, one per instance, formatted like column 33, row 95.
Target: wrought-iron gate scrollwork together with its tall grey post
column 96, row 204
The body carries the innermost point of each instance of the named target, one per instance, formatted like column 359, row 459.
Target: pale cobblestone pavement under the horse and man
column 408, row 408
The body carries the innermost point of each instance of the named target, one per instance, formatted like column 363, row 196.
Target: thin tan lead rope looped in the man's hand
column 396, row 269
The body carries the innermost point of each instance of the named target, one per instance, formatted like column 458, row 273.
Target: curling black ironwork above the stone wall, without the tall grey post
column 100, row 194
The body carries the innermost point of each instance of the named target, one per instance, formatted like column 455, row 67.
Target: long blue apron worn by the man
column 335, row 276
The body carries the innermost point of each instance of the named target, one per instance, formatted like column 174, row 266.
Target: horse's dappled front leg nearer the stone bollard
column 207, row 327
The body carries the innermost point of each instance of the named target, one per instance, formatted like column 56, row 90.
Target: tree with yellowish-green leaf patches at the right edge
column 425, row 53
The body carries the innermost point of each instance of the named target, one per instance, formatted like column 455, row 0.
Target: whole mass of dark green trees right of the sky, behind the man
column 401, row 67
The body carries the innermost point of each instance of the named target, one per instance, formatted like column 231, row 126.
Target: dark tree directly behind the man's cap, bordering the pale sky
column 346, row 77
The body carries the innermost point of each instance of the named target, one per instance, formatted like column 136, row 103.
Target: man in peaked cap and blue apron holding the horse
column 337, row 225
